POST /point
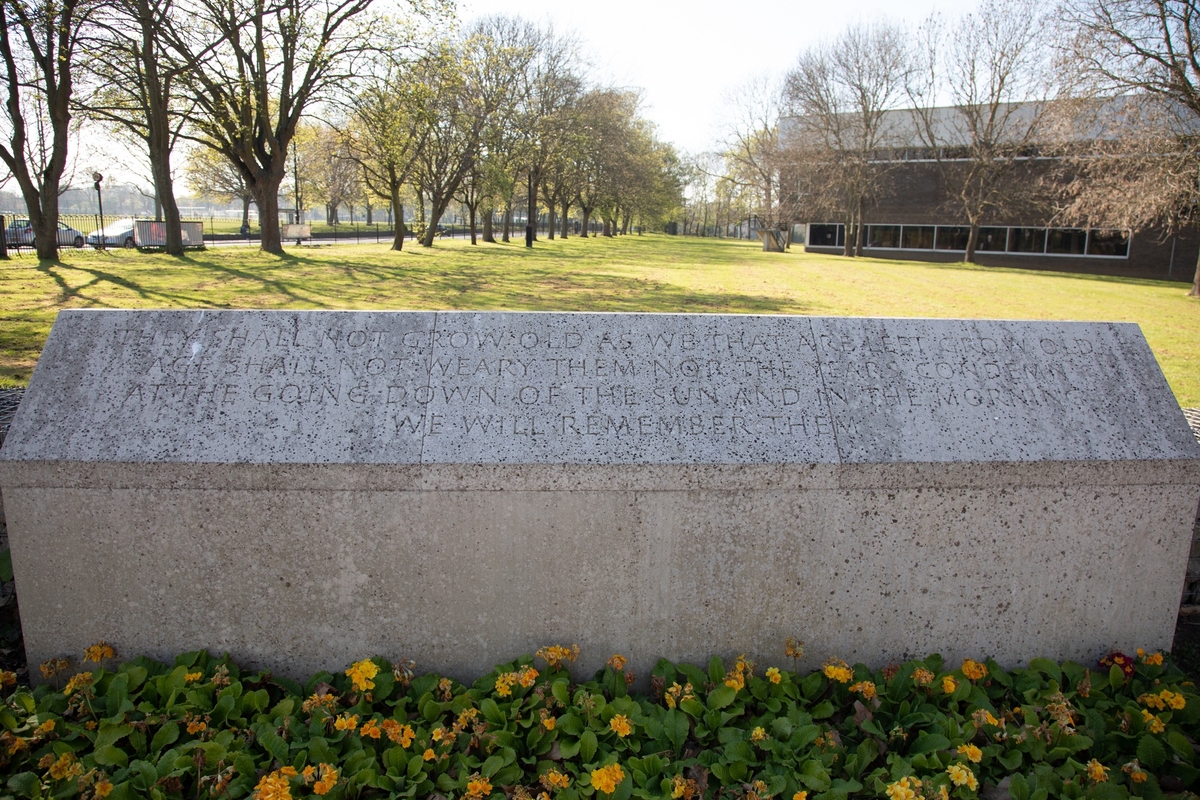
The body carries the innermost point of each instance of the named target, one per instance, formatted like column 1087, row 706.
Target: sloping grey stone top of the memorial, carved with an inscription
column 411, row 388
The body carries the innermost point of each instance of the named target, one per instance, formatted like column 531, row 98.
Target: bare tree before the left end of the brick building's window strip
column 841, row 94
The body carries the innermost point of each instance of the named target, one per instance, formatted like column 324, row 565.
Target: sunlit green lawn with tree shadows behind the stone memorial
column 652, row 273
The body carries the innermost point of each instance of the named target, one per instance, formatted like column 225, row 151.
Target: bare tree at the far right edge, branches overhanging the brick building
column 1148, row 49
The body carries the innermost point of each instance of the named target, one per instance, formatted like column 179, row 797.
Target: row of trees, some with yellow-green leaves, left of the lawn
column 371, row 97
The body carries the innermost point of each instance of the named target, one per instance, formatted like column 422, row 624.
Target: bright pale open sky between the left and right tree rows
column 689, row 57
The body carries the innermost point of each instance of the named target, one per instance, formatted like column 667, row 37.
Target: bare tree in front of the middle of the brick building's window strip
column 992, row 65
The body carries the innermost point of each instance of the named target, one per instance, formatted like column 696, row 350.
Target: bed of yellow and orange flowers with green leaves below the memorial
column 205, row 729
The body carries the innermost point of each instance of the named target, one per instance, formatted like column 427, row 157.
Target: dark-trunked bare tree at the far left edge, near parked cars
column 39, row 44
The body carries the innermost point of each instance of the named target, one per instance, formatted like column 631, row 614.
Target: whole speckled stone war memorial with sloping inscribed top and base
column 303, row 490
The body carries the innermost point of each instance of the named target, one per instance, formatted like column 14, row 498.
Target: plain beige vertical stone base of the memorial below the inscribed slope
column 298, row 569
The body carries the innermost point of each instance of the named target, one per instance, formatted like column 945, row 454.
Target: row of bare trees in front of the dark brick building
column 1088, row 113
